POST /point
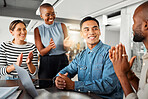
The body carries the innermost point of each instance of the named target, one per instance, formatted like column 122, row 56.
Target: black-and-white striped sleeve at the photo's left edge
column 3, row 61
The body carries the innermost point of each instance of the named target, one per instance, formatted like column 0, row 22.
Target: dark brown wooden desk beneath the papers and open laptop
column 25, row 95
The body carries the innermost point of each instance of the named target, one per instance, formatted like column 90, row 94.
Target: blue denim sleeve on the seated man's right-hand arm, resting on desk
column 104, row 85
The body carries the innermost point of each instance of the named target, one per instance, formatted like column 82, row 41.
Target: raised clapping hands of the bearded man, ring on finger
column 119, row 59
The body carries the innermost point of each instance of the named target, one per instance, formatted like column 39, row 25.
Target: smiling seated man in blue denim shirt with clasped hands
column 93, row 66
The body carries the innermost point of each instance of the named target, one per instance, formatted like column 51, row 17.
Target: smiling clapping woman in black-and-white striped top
column 18, row 51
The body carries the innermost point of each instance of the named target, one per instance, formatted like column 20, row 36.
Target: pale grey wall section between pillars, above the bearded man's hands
column 112, row 38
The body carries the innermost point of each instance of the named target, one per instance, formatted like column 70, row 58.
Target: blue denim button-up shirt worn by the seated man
column 95, row 72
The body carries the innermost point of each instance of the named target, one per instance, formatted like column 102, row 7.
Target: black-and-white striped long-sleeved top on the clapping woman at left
column 9, row 53
